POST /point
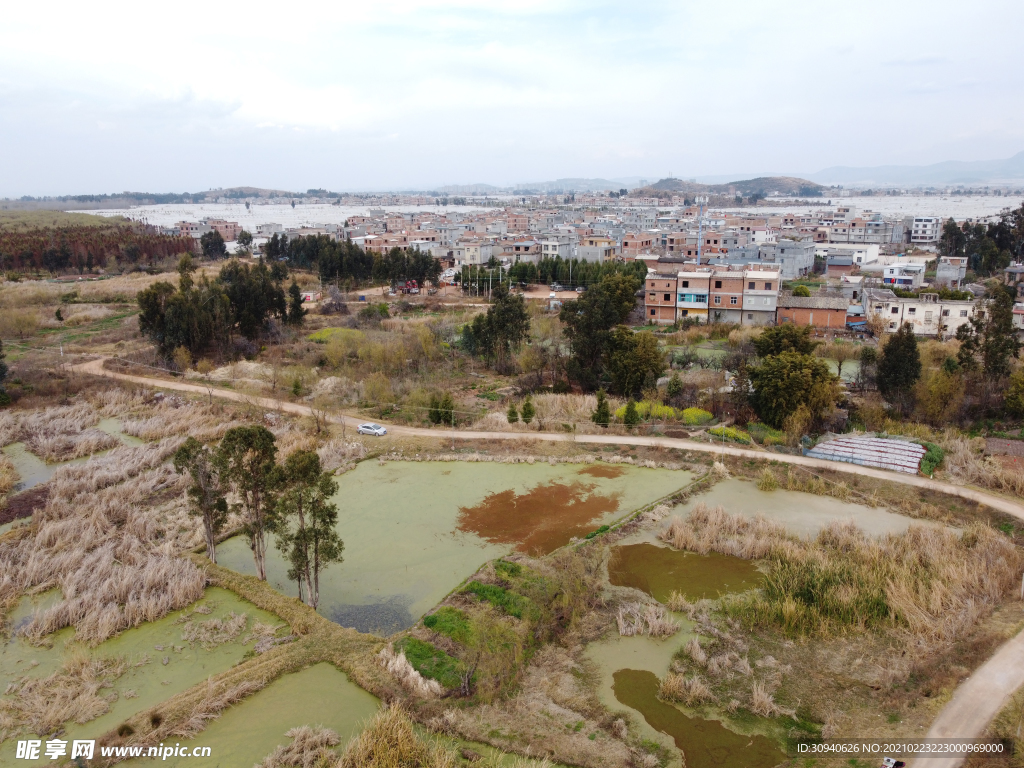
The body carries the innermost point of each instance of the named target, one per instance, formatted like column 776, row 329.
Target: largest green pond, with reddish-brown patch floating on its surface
column 414, row 531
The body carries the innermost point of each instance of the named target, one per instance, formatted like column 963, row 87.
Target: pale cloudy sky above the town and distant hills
column 413, row 95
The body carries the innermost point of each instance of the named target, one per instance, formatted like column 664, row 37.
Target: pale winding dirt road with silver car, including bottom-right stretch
column 974, row 705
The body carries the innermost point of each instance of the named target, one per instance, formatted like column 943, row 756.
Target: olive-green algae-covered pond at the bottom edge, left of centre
column 246, row 734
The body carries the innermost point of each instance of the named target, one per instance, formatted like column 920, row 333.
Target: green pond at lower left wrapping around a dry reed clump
column 150, row 682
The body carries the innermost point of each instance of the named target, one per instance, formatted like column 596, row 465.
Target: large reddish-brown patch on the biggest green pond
column 541, row 521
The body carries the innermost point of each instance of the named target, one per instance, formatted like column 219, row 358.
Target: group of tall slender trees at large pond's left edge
column 290, row 501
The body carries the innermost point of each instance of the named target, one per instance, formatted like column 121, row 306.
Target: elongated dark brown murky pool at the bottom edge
column 705, row 744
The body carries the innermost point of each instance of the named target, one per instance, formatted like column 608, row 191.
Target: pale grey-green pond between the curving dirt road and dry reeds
column 801, row 514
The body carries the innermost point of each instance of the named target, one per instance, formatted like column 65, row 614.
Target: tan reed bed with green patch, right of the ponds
column 932, row 584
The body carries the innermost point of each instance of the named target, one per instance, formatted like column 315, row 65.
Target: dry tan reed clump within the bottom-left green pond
column 41, row 706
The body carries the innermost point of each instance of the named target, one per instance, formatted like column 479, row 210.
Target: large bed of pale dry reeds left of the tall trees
column 101, row 543
